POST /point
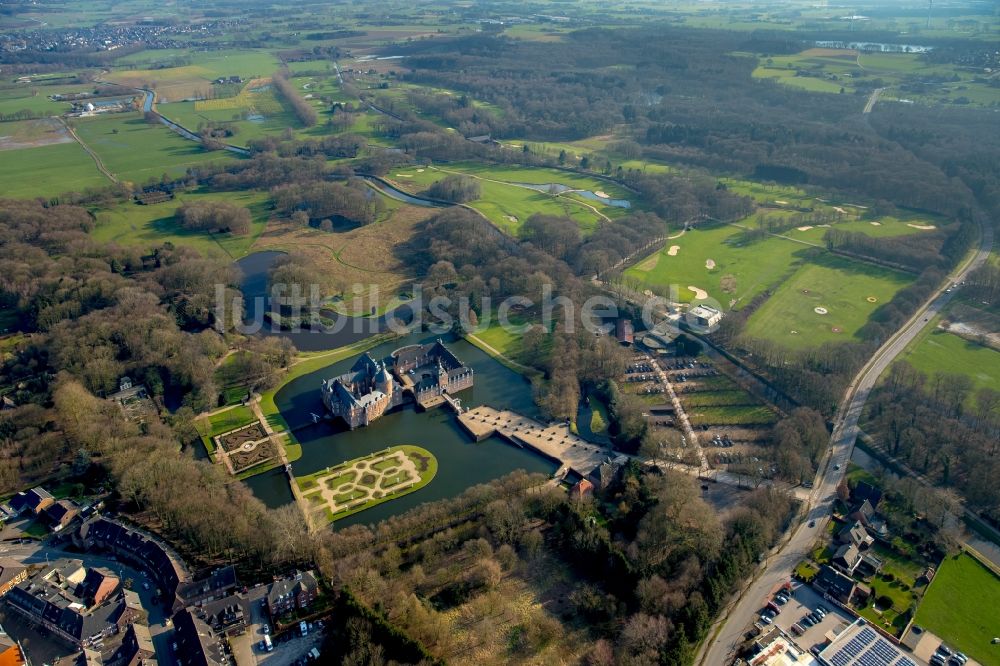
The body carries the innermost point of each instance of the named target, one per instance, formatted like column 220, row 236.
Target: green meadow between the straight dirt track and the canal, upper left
column 137, row 151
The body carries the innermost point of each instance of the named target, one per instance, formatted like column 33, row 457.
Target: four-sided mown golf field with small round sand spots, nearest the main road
column 841, row 286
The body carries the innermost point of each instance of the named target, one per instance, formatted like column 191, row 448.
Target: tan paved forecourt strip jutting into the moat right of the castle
column 554, row 441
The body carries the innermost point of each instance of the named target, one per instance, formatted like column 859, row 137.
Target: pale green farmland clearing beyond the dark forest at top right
column 907, row 75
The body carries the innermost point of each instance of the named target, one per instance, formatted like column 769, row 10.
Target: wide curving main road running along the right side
column 721, row 645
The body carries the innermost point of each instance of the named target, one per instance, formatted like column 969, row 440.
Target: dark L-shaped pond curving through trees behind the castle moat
column 347, row 330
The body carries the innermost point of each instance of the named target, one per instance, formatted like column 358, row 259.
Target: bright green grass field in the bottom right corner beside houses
column 961, row 607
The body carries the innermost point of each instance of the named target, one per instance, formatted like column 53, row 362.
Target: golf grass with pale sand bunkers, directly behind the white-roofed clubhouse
column 740, row 272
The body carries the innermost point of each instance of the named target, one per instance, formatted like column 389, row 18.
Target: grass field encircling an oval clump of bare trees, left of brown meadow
column 149, row 226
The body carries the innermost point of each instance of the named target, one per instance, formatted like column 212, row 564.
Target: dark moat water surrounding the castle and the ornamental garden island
column 462, row 463
